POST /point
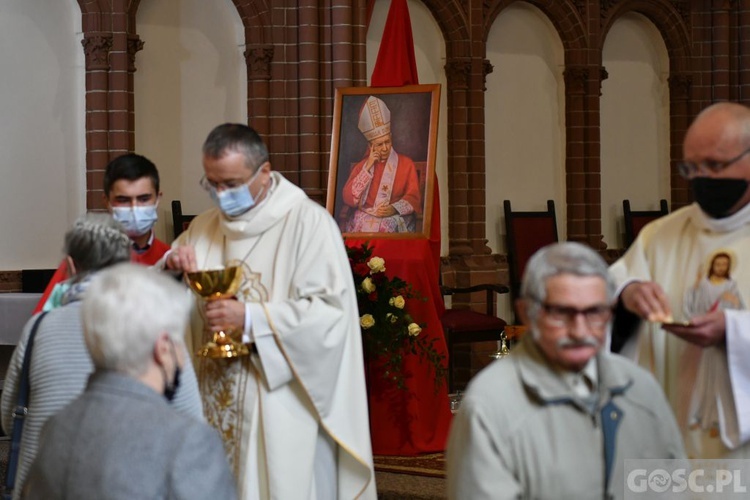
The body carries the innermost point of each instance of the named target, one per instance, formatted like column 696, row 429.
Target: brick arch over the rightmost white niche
column 667, row 19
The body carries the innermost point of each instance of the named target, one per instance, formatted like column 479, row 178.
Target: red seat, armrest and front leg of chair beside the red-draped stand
column 463, row 325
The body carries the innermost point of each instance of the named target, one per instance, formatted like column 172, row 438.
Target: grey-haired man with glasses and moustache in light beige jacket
column 559, row 416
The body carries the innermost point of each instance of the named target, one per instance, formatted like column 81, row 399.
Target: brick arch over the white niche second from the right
column 564, row 17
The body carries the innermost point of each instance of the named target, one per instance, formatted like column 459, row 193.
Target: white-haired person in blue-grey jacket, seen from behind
column 120, row 439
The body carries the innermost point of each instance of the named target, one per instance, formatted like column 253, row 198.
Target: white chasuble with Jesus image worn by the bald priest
column 702, row 264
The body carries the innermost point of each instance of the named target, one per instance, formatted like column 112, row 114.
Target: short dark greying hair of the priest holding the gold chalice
column 236, row 138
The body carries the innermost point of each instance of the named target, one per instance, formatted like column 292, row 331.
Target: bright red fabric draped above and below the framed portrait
column 416, row 420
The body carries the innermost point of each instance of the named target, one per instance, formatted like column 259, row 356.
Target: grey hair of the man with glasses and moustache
column 561, row 258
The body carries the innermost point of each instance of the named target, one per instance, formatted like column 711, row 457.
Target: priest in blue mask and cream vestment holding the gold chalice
column 293, row 414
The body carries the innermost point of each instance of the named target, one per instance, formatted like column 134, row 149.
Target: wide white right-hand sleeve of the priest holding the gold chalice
column 316, row 328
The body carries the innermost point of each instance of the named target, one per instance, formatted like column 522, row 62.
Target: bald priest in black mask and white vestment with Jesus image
column 687, row 278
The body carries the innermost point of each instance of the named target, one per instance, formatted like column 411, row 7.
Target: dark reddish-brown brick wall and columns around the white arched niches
column 298, row 51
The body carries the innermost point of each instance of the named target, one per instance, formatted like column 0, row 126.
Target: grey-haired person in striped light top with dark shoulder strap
column 60, row 363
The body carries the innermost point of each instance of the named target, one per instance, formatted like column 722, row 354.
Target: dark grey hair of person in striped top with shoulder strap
column 96, row 241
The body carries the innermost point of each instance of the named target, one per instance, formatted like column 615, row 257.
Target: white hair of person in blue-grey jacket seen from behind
column 126, row 309
